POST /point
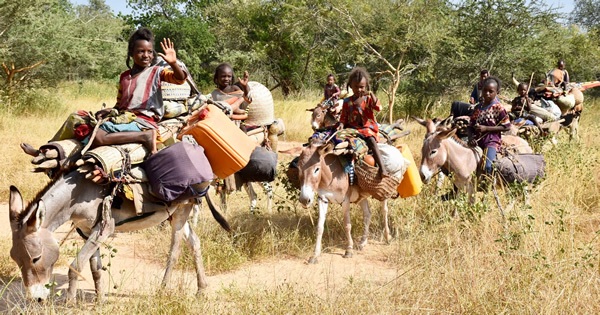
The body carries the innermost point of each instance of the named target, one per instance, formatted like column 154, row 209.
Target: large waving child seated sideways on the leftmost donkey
column 139, row 105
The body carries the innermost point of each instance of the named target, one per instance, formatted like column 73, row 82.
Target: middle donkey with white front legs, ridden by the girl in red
column 321, row 172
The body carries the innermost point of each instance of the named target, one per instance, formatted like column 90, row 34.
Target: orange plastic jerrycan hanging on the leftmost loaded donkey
column 227, row 148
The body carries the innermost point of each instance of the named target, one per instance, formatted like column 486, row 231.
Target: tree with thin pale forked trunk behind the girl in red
column 398, row 41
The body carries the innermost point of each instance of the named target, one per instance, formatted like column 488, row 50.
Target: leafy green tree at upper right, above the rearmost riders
column 505, row 37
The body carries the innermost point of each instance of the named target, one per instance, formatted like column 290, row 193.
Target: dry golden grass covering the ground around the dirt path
column 543, row 259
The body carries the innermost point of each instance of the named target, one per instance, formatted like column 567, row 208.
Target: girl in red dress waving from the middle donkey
column 358, row 112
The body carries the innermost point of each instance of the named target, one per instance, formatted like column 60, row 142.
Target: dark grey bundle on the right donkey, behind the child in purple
column 521, row 167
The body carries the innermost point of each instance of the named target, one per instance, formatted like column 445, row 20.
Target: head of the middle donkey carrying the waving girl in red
column 311, row 165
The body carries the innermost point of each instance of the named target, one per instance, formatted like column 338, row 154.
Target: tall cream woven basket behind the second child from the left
column 261, row 110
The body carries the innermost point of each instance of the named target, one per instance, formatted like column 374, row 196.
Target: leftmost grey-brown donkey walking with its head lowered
column 69, row 196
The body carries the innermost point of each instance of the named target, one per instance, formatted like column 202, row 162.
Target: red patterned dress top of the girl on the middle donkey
column 361, row 116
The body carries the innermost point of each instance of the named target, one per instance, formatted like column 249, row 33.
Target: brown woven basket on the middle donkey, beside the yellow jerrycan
column 380, row 188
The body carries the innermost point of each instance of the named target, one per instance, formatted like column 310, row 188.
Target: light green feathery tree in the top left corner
column 48, row 41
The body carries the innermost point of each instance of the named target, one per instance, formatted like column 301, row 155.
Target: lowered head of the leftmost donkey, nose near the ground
column 34, row 249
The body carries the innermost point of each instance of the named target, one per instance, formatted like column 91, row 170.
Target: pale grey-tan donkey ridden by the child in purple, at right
column 442, row 150
